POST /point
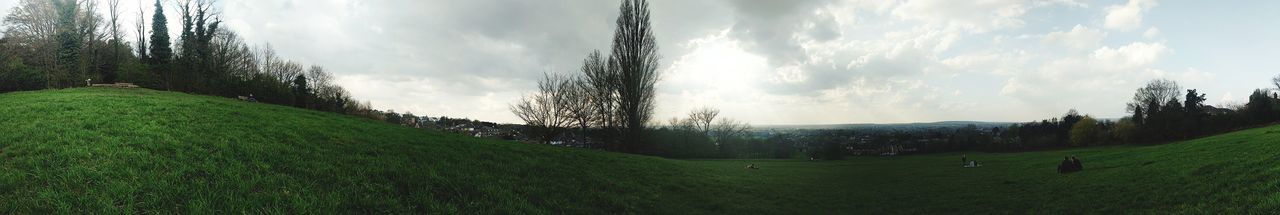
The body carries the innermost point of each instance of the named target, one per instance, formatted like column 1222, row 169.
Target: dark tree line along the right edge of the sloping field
column 1160, row 112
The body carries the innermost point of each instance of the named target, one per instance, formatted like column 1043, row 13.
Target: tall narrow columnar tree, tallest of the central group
column 636, row 53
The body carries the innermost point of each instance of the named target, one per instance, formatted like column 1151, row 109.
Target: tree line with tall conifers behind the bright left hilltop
column 61, row 44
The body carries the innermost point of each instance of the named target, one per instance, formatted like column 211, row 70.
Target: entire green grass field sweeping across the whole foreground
column 108, row 150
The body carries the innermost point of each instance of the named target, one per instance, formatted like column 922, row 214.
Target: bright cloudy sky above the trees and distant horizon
column 771, row 62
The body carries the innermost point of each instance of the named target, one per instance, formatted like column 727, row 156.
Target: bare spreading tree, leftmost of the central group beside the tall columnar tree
column 545, row 111
